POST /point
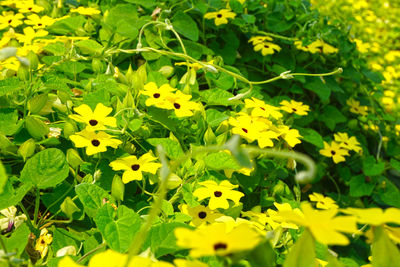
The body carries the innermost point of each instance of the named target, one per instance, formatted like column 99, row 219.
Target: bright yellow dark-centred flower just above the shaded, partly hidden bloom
column 218, row 194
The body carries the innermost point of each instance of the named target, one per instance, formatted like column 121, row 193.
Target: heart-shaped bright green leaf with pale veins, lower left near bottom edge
column 118, row 227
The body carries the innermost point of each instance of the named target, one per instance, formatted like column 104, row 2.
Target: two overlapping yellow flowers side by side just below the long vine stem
column 166, row 97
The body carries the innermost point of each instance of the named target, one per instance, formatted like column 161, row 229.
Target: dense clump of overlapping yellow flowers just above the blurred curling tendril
column 260, row 121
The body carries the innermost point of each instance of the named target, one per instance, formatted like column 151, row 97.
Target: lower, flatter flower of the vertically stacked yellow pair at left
column 94, row 142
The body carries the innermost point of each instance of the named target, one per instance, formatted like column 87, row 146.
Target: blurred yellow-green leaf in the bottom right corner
column 384, row 252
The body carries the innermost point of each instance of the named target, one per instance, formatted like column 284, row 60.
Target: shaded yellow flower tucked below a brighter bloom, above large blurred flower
column 200, row 214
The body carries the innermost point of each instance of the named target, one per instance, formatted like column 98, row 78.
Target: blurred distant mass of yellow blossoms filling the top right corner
column 376, row 36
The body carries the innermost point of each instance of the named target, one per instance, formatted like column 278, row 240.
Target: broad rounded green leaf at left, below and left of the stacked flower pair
column 45, row 169
